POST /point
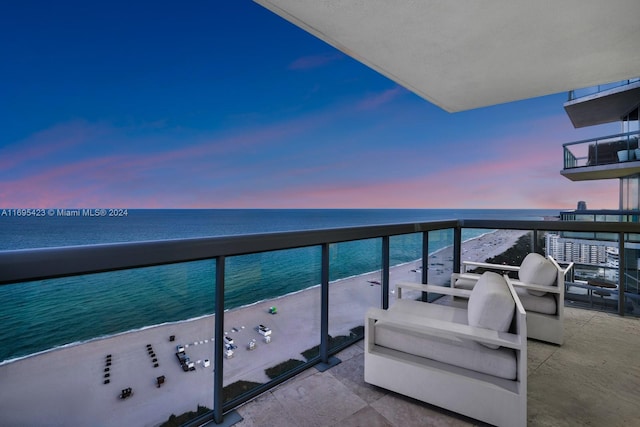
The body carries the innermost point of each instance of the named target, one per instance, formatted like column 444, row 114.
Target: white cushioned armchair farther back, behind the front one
column 540, row 287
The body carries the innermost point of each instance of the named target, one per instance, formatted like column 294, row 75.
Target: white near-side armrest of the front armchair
column 427, row 327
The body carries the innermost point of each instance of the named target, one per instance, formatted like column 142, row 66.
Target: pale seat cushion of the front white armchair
column 466, row 354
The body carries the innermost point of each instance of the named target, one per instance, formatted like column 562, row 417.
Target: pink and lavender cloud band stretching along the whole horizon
column 516, row 170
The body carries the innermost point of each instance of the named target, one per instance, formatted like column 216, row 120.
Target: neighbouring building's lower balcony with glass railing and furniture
column 609, row 157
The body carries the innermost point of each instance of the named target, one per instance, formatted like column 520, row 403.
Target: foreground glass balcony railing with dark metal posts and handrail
column 208, row 324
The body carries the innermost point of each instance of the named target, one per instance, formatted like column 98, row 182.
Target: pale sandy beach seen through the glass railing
column 66, row 387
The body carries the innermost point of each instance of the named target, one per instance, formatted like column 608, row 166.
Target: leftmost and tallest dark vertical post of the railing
column 218, row 343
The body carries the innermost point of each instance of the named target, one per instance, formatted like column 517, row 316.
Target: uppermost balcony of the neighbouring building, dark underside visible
column 602, row 104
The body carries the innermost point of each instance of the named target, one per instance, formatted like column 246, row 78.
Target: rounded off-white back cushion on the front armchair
column 491, row 305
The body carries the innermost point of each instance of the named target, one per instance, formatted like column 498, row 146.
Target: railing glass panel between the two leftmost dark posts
column 273, row 318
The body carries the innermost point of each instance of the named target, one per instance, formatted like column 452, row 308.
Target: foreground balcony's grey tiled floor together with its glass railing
column 315, row 327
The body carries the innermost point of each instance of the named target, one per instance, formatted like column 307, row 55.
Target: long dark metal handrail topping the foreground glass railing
column 37, row 264
